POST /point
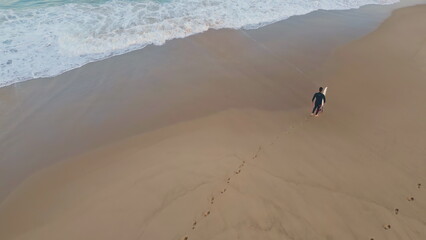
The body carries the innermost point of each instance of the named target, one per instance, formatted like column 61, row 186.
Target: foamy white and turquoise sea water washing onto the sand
column 42, row 38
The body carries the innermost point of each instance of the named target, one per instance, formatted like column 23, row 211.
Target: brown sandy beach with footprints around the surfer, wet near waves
column 210, row 137
